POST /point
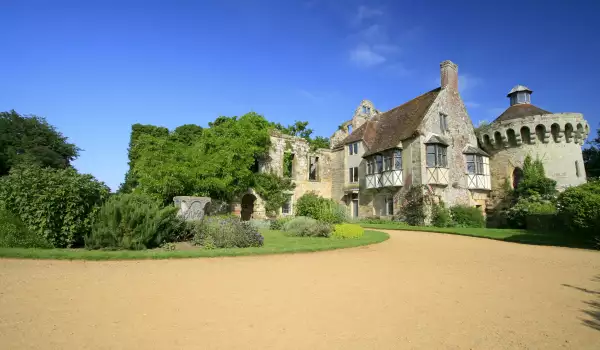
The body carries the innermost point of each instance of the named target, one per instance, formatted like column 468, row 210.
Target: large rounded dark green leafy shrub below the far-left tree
column 56, row 204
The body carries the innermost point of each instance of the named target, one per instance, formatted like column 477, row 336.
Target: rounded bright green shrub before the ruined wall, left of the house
column 322, row 209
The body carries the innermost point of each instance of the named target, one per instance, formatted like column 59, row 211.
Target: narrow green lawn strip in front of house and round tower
column 507, row 235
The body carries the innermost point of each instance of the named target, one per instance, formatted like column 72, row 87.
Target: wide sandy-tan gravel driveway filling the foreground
column 416, row 291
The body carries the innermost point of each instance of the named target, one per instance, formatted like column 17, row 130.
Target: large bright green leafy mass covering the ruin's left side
column 216, row 161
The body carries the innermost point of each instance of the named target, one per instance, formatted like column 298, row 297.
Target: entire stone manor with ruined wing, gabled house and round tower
column 430, row 140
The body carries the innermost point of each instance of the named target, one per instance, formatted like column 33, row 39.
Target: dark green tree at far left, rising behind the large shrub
column 31, row 140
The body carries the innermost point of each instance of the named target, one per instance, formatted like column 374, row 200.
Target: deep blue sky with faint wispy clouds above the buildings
column 93, row 68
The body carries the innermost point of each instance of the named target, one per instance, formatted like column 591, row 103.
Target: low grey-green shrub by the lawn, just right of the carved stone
column 226, row 232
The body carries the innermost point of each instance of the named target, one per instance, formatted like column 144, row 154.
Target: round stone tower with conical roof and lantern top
column 524, row 129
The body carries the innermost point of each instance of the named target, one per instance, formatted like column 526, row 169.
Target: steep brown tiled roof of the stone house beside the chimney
column 386, row 130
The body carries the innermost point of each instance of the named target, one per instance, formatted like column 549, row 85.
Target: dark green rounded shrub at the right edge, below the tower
column 579, row 209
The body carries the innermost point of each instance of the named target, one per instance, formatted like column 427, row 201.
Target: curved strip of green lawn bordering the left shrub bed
column 276, row 242
